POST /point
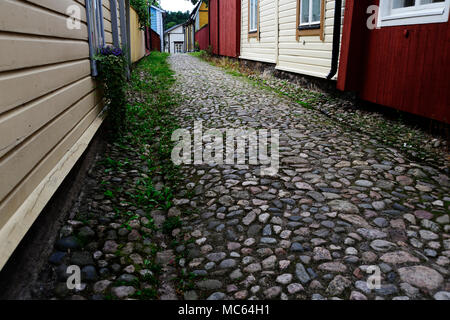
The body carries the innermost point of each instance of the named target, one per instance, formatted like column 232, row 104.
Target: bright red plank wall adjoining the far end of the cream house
column 225, row 27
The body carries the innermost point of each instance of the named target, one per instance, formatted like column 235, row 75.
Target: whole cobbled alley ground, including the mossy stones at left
column 341, row 208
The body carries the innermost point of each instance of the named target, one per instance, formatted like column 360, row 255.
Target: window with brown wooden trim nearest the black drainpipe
column 310, row 18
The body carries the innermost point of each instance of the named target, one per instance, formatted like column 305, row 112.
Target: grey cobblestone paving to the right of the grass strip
column 340, row 203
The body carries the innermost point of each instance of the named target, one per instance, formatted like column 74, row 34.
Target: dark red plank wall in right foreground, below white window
column 404, row 67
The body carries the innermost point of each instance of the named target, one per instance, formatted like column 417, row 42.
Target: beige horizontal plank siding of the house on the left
column 49, row 103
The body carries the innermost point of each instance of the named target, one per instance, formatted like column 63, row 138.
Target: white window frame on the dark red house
column 417, row 14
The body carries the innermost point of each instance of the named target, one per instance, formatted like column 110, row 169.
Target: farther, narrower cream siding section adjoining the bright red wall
column 264, row 48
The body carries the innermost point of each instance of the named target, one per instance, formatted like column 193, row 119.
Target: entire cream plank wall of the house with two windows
column 309, row 55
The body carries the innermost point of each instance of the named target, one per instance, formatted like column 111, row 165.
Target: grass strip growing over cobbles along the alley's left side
column 140, row 179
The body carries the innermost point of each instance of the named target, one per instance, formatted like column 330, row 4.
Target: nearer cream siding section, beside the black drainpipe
column 309, row 55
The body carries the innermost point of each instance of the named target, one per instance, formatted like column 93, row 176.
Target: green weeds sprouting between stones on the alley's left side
column 149, row 125
